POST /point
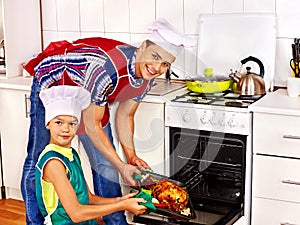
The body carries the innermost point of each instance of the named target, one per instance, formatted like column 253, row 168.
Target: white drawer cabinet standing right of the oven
column 276, row 166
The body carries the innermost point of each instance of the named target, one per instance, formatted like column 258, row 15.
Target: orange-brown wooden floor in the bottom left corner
column 12, row 212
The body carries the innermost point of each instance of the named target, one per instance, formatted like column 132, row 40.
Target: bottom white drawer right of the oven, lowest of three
column 272, row 212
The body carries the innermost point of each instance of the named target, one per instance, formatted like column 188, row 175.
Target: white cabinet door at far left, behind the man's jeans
column 14, row 126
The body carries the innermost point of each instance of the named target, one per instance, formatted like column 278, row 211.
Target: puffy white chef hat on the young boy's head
column 64, row 100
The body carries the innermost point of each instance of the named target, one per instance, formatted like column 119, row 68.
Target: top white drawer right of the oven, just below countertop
column 276, row 134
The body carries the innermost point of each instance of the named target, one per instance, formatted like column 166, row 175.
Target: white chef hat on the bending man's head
column 167, row 37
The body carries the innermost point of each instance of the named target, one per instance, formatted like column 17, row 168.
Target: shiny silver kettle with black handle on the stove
column 249, row 83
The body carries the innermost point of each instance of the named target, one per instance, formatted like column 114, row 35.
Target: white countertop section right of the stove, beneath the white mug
column 277, row 102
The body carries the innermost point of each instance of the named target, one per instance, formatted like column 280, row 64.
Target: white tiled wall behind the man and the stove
column 127, row 20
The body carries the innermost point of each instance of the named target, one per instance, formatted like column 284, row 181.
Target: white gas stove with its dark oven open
column 208, row 148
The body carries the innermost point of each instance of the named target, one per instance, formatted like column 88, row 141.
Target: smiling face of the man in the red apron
column 152, row 61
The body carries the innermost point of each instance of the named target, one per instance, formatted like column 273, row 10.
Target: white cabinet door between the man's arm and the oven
column 149, row 135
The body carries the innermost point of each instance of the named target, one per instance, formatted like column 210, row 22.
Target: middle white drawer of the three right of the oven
column 276, row 178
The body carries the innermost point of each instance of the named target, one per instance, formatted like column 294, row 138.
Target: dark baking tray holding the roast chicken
column 167, row 212
